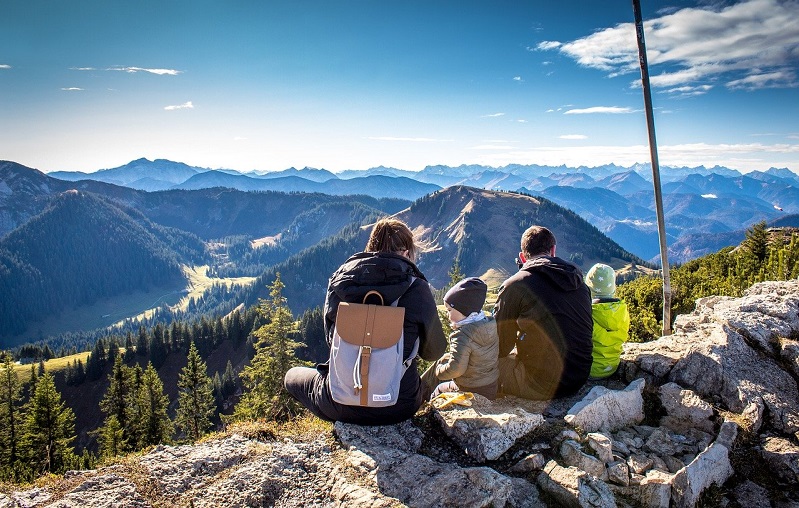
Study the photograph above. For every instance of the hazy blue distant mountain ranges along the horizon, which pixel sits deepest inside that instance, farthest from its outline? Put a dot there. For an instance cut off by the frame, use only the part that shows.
(617, 200)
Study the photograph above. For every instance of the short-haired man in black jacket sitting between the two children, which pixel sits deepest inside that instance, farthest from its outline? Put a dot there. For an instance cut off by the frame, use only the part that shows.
(544, 310)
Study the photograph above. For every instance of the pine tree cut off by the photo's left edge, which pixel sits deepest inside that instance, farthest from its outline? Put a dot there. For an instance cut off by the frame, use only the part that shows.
(10, 417)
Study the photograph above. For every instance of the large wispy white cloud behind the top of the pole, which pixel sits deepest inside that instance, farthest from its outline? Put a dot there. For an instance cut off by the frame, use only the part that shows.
(747, 45)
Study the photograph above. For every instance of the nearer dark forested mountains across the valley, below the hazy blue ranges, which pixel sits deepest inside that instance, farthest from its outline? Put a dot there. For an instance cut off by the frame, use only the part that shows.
(303, 236)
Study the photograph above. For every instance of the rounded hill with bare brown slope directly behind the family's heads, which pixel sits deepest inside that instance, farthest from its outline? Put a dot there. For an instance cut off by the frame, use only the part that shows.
(480, 229)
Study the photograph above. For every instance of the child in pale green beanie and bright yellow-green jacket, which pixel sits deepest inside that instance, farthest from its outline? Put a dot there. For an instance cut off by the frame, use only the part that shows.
(611, 320)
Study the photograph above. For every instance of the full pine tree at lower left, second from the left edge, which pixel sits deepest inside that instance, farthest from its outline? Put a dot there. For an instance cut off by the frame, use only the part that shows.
(49, 428)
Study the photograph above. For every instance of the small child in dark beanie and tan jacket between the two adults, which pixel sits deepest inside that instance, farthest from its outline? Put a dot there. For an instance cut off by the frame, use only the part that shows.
(471, 365)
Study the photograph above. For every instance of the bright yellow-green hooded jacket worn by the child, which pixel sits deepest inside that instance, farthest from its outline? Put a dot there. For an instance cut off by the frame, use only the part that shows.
(611, 330)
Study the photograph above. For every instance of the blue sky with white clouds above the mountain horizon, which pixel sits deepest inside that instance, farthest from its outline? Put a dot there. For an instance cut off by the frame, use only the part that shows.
(266, 85)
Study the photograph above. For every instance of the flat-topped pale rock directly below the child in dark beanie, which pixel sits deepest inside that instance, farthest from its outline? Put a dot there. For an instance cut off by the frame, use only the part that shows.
(487, 429)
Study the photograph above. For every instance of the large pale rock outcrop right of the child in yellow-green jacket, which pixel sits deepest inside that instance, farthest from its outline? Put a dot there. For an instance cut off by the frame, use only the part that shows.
(725, 351)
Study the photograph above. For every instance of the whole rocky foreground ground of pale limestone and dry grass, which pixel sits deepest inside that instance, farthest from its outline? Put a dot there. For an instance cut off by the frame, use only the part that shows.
(708, 416)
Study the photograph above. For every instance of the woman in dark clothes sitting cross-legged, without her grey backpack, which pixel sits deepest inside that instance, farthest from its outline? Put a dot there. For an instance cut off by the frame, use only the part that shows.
(387, 266)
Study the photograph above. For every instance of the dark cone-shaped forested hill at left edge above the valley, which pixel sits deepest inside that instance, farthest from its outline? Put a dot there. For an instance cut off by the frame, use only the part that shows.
(83, 248)
